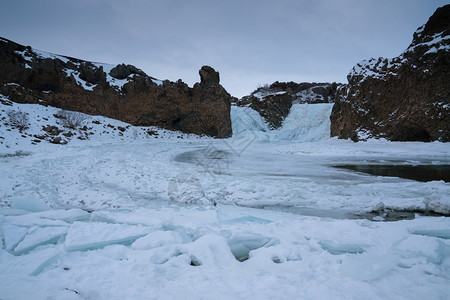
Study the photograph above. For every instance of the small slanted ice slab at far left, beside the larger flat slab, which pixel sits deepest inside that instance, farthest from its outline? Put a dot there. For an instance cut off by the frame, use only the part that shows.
(40, 236)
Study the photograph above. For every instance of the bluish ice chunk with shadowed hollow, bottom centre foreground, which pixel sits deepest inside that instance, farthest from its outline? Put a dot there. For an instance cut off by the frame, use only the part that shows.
(242, 244)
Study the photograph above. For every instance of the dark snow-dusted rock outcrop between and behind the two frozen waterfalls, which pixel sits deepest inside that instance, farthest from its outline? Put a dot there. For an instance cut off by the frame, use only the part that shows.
(274, 102)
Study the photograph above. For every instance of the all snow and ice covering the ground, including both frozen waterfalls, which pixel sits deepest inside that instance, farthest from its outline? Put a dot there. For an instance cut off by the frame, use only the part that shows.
(128, 214)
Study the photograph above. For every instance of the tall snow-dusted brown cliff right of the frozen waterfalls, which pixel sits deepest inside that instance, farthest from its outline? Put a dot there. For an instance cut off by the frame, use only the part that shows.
(406, 98)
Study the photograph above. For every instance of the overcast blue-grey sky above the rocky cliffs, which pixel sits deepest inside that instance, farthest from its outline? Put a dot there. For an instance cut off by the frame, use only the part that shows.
(249, 42)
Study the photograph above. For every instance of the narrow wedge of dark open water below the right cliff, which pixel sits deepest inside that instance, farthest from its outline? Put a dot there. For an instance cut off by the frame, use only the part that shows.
(422, 173)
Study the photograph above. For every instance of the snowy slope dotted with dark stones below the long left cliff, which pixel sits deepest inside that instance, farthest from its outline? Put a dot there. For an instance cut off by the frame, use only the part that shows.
(92, 130)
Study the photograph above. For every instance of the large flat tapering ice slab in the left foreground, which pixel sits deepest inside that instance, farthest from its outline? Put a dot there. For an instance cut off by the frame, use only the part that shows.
(86, 236)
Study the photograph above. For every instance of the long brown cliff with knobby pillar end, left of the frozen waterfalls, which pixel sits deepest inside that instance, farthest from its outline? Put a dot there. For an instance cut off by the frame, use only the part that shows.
(122, 92)
